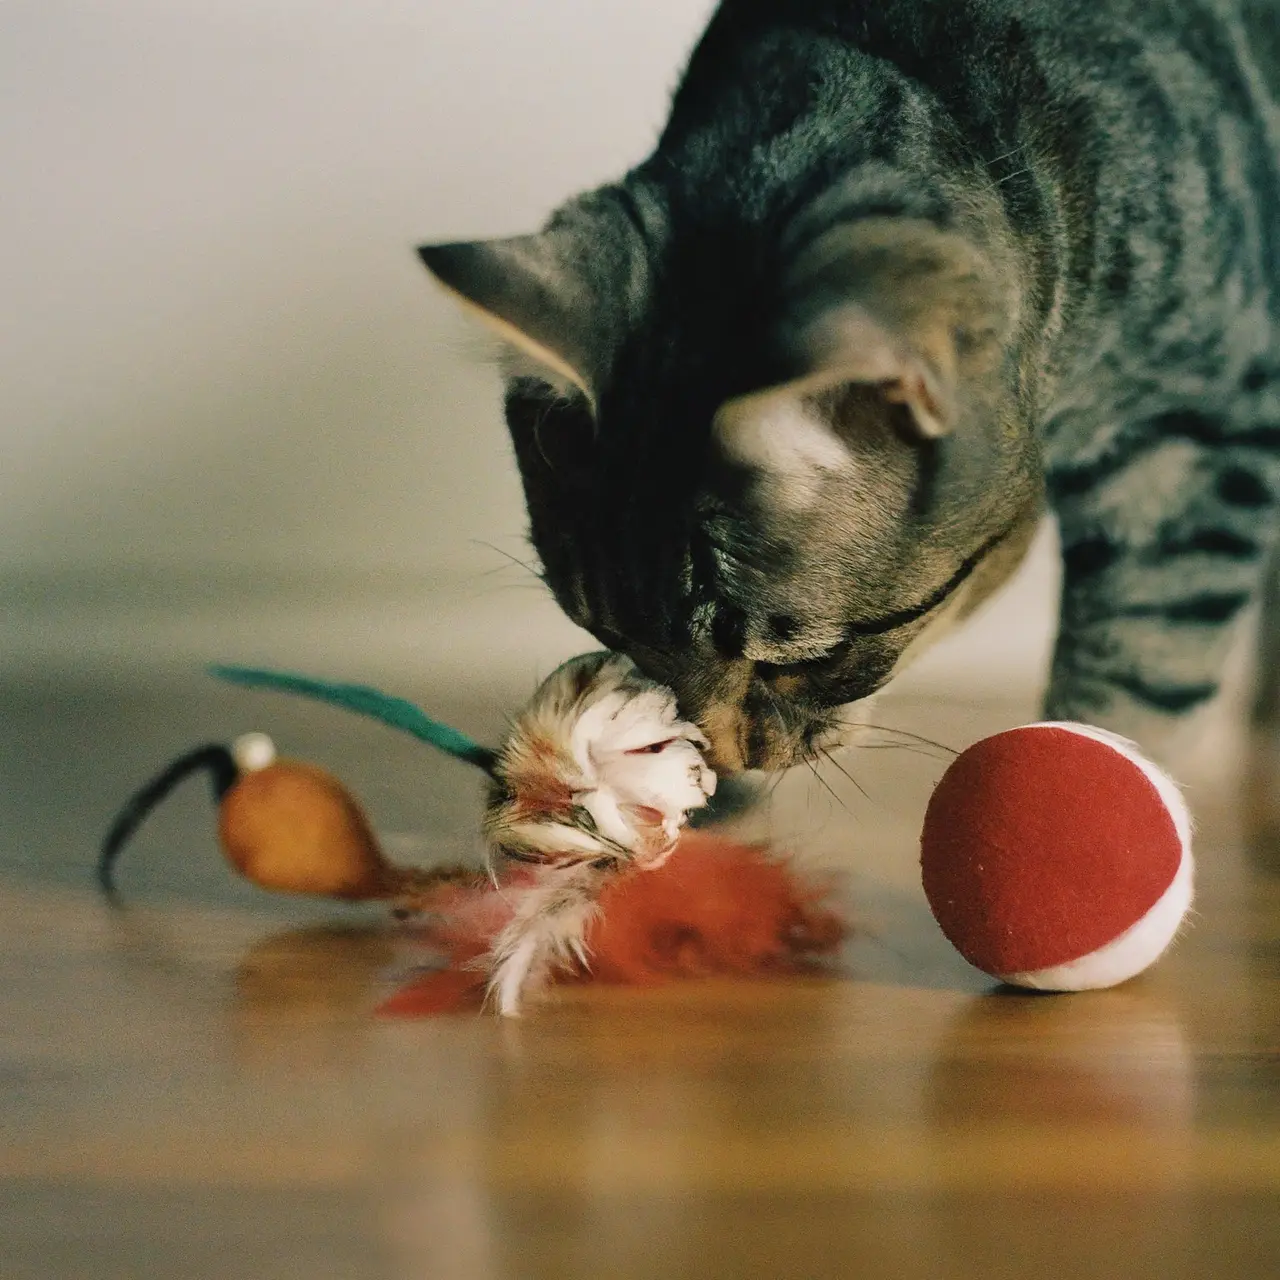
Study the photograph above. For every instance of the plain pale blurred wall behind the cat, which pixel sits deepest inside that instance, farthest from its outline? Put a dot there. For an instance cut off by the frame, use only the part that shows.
(239, 422)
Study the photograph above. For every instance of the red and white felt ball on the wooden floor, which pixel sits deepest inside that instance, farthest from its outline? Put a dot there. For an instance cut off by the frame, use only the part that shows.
(1055, 857)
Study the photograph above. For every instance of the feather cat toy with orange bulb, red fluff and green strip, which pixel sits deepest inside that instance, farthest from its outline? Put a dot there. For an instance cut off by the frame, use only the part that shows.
(591, 871)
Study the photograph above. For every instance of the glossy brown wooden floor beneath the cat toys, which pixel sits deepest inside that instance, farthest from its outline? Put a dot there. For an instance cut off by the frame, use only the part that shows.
(195, 1087)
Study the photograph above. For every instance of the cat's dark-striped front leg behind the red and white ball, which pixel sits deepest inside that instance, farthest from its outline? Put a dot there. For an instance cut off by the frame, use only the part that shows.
(1164, 546)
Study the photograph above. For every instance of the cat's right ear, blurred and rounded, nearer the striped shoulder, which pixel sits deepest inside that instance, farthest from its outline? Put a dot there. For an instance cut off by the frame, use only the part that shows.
(895, 304)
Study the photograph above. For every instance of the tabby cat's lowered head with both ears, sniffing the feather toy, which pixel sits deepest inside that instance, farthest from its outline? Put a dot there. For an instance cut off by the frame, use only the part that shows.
(770, 463)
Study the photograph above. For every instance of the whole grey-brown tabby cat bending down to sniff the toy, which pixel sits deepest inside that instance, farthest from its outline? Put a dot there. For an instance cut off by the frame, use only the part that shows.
(797, 388)
